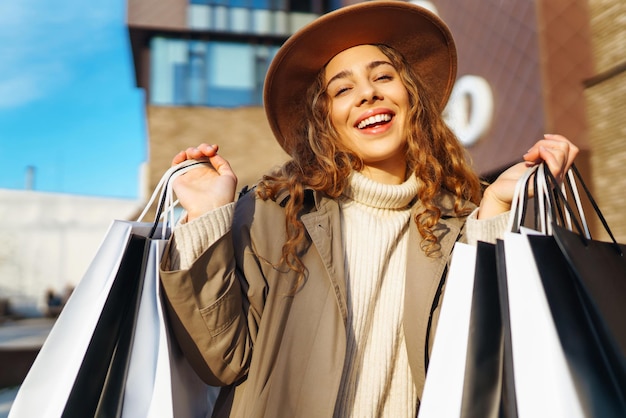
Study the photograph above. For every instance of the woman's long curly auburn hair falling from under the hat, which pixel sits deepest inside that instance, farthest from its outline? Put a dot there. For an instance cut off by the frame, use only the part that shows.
(321, 162)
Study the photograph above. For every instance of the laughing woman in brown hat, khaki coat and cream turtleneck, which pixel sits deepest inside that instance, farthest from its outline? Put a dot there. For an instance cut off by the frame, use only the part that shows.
(317, 294)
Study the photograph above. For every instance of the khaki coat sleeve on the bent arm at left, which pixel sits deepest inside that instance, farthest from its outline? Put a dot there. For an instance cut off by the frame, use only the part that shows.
(214, 308)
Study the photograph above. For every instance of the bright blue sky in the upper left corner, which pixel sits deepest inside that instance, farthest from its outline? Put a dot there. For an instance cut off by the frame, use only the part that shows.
(68, 103)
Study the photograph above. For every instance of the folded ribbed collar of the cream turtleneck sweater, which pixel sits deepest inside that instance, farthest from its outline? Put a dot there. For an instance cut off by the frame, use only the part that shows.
(368, 192)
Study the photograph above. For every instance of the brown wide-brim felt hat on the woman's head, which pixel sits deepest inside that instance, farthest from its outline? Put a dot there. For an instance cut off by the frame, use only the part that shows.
(419, 35)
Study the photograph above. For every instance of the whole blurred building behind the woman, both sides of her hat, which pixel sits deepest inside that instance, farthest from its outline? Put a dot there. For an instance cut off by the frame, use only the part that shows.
(525, 68)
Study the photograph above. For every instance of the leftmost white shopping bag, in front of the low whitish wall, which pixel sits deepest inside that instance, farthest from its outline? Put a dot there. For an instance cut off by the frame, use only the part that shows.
(48, 384)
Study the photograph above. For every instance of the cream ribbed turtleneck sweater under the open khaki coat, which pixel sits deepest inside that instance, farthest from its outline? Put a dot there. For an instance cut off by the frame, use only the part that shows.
(375, 219)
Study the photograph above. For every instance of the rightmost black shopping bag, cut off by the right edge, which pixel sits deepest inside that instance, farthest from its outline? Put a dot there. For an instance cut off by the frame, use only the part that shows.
(597, 272)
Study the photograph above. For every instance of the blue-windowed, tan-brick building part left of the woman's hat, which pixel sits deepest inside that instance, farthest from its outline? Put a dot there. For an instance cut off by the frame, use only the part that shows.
(202, 64)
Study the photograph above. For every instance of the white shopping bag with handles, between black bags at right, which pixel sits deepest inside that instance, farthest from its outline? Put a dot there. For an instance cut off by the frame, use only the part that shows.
(541, 378)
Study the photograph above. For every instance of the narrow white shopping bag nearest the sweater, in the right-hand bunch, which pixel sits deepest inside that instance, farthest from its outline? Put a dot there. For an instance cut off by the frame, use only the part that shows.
(443, 388)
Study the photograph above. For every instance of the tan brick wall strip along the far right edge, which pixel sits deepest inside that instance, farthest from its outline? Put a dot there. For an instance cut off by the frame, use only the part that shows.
(606, 111)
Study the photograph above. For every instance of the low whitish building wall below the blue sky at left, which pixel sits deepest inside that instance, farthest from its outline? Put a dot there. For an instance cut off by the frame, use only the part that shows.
(47, 242)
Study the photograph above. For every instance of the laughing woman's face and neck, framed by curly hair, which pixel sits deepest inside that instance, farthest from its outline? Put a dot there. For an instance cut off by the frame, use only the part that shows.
(368, 108)
